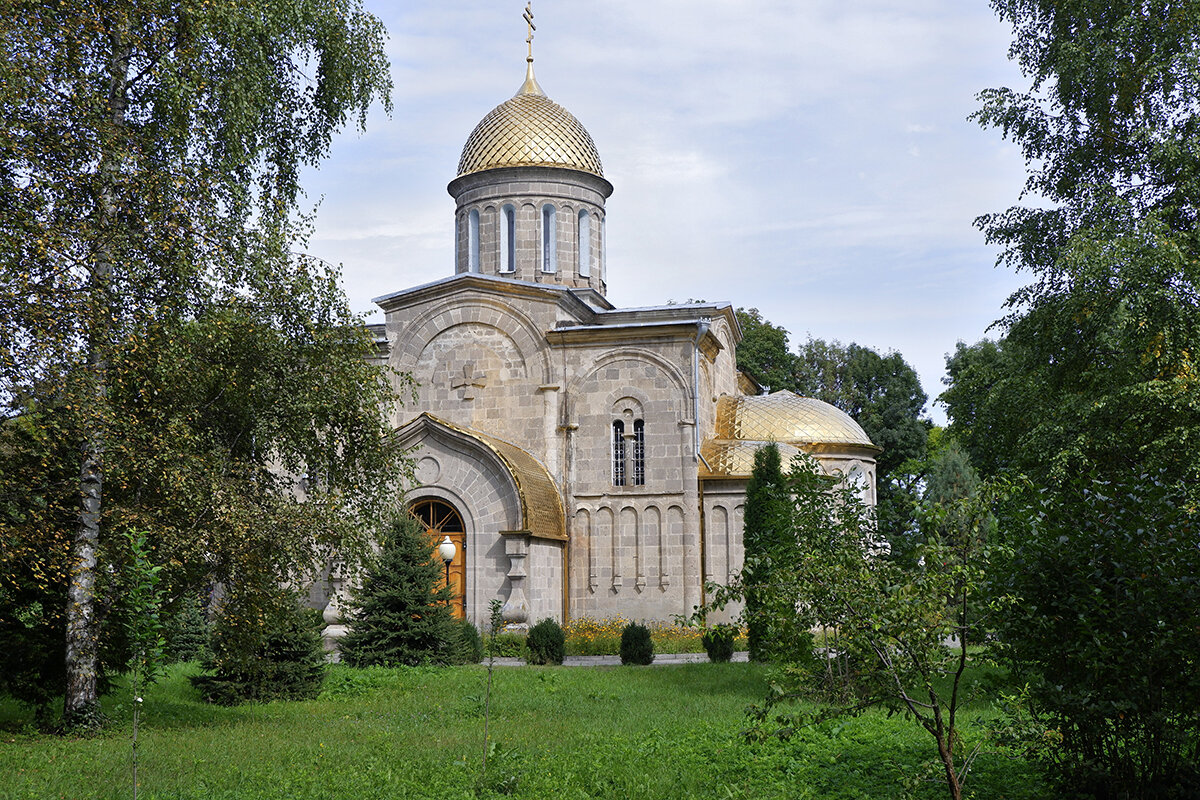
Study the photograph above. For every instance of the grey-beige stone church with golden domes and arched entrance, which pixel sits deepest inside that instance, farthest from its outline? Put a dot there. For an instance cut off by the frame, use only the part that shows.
(587, 461)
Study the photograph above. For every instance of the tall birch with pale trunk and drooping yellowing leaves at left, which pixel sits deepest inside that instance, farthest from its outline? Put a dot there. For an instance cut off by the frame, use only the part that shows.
(164, 348)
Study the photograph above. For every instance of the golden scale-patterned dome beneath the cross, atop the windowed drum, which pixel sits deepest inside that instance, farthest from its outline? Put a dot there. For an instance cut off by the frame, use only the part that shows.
(530, 130)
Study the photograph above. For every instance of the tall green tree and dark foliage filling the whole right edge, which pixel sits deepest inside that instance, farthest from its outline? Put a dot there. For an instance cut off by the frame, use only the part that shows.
(1097, 377)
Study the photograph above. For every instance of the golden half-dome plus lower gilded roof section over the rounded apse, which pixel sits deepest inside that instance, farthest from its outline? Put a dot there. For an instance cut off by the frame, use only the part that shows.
(795, 424)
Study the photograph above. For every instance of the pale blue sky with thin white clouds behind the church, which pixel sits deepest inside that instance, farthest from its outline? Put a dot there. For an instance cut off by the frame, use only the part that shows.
(811, 159)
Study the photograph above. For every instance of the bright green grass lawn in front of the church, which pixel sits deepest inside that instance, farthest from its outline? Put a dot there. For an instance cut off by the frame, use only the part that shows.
(559, 732)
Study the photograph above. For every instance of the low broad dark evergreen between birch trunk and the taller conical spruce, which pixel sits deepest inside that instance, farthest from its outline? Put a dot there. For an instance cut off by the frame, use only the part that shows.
(266, 647)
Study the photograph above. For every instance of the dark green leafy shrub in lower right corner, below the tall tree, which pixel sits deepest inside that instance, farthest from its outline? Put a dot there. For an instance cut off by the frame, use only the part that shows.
(1105, 634)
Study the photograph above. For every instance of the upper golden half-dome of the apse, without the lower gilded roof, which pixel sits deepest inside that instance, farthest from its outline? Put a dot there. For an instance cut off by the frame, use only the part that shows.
(788, 418)
